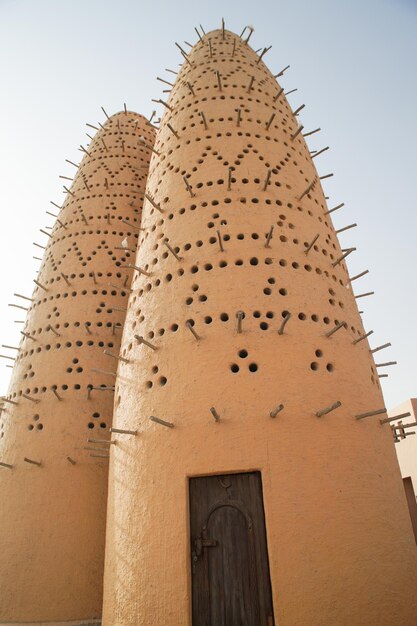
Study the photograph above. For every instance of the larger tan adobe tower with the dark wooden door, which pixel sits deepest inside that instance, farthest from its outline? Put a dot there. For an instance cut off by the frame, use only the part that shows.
(246, 375)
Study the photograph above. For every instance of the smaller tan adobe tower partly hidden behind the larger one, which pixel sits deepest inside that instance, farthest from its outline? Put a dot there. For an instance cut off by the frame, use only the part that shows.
(60, 401)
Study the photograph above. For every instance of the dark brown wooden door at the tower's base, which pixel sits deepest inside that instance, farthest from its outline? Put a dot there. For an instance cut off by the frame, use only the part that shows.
(230, 569)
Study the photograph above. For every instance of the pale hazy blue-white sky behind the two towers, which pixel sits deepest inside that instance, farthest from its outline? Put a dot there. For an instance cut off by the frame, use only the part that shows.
(353, 62)
